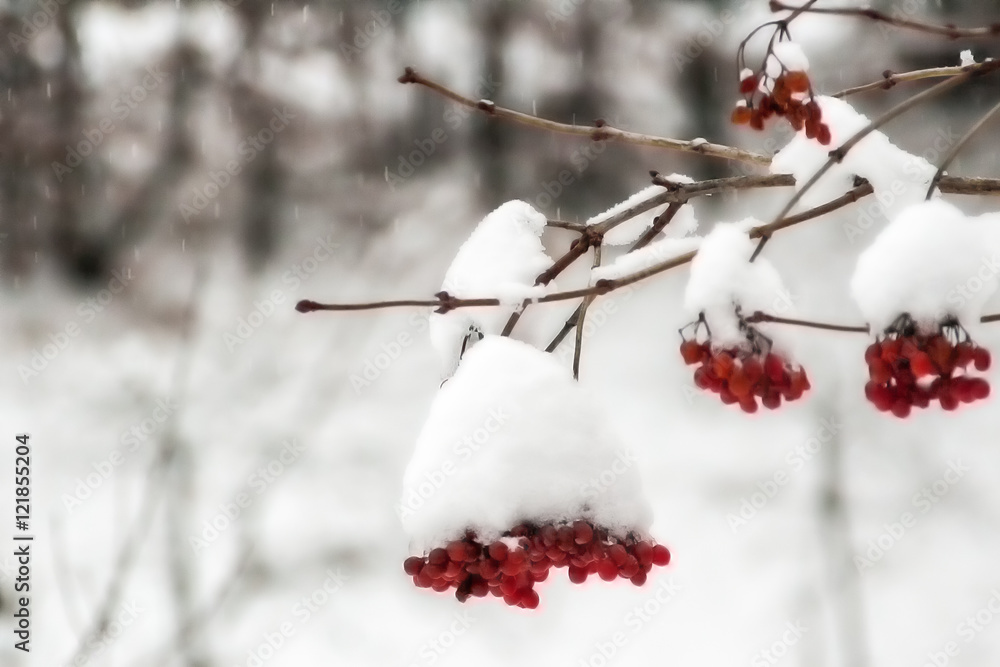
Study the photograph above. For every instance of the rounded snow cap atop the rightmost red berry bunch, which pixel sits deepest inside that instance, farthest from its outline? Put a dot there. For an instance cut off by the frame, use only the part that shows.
(931, 261)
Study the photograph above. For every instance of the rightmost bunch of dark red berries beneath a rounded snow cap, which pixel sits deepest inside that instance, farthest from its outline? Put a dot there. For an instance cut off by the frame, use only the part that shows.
(909, 369)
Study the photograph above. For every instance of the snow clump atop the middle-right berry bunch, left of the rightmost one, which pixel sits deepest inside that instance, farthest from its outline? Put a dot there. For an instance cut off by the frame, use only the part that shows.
(722, 278)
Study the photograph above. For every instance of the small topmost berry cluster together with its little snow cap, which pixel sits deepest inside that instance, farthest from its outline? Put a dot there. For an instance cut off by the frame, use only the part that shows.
(782, 89)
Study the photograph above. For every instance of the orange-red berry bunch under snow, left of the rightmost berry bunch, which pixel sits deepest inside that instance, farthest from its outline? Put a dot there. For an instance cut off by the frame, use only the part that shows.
(742, 376)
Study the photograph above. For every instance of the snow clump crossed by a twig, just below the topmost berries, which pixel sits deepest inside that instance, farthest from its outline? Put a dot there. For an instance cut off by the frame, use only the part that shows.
(900, 179)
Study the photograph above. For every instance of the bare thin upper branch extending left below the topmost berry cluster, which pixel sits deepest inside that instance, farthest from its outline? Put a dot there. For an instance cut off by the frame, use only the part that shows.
(601, 131)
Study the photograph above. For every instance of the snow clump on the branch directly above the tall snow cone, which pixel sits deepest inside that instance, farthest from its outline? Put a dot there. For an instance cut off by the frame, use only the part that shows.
(501, 259)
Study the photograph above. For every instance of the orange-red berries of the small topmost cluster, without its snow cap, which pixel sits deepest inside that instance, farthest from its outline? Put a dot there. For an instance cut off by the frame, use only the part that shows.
(790, 98)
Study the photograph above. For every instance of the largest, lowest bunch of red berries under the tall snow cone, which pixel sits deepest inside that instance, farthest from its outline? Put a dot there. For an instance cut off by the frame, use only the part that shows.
(509, 568)
